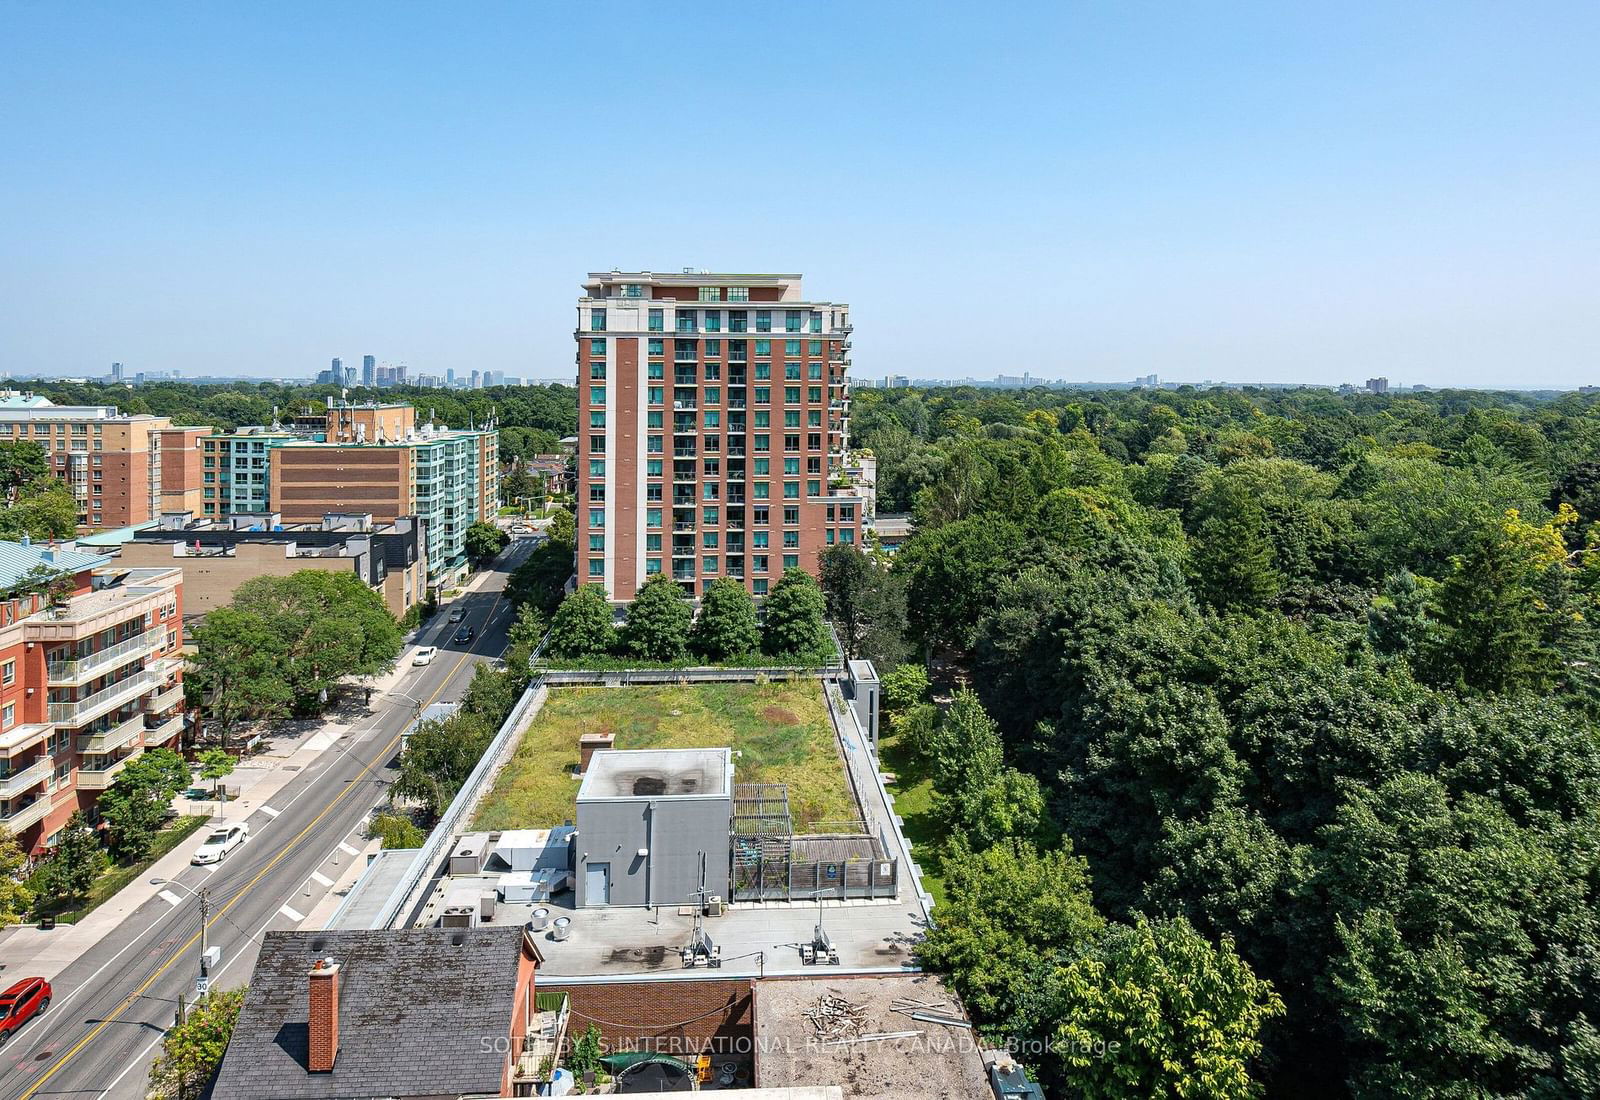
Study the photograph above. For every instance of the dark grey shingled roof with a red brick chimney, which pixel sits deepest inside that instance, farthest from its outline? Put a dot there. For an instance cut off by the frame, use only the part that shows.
(422, 1013)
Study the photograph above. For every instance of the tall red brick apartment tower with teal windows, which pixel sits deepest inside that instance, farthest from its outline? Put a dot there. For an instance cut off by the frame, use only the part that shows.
(713, 423)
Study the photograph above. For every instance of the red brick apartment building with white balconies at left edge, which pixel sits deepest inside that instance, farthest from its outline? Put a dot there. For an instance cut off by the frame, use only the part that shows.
(89, 682)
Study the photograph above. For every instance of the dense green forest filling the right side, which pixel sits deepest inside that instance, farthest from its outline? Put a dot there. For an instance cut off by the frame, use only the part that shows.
(1281, 763)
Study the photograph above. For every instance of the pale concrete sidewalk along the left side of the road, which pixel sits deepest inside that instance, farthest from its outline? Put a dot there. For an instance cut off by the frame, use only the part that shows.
(294, 746)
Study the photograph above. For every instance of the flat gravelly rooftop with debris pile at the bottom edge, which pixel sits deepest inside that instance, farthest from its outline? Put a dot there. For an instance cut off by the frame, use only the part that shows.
(940, 1061)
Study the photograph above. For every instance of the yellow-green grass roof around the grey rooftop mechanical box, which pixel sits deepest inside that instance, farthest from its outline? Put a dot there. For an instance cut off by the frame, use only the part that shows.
(782, 730)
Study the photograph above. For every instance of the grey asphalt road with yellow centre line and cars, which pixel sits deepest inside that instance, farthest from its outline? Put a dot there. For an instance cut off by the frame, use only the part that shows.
(113, 1006)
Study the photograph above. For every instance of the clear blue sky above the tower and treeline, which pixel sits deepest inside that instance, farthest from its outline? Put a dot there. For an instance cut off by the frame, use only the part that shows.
(1086, 191)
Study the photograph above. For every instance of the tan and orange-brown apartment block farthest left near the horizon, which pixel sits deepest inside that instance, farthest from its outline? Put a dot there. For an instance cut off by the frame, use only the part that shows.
(122, 469)
